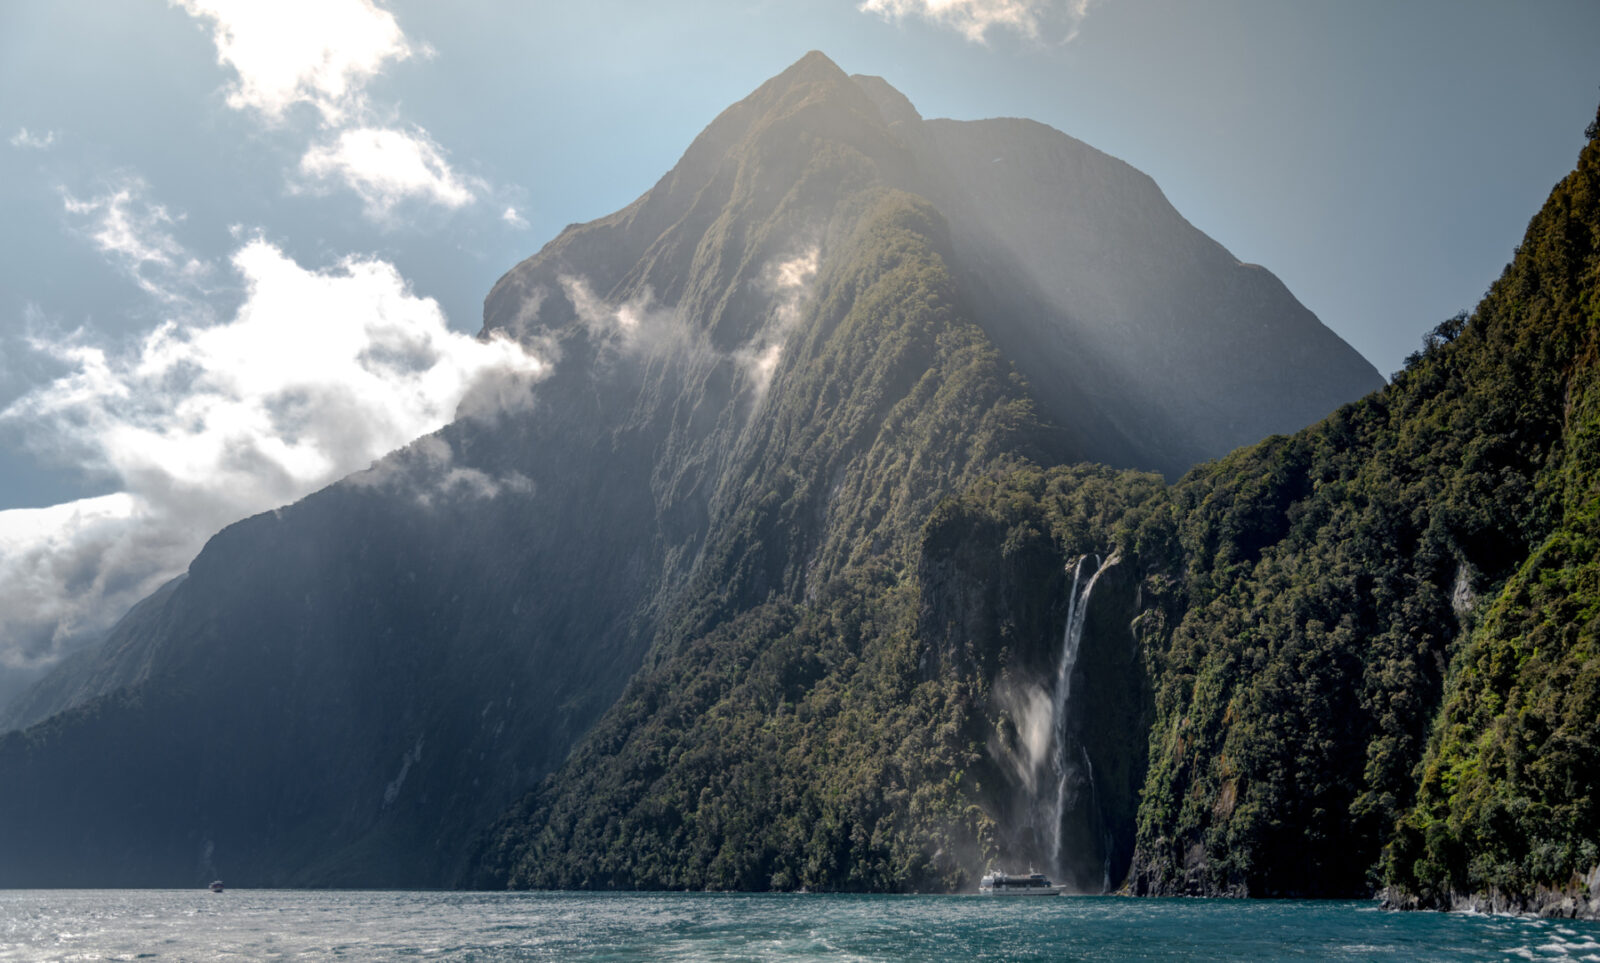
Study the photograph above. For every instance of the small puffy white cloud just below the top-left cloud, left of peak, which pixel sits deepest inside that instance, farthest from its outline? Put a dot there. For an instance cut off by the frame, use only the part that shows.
(386, 167)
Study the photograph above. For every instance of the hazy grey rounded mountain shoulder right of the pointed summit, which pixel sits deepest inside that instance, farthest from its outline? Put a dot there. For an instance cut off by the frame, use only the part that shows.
(1158, 321)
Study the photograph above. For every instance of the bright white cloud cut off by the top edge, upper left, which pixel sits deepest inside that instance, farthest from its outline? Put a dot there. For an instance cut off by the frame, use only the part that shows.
(302, 52)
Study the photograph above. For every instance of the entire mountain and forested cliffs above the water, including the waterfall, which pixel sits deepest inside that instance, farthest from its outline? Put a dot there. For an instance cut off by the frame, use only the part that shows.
(857, 541)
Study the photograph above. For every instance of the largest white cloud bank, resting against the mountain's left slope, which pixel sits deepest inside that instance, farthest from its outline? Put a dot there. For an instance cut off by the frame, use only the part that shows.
(314, 377)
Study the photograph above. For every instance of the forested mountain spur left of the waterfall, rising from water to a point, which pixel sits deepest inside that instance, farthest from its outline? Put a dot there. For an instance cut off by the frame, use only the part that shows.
(798, 735)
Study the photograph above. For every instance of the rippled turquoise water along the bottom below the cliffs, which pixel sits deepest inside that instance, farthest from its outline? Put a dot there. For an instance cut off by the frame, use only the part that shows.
(321, 925)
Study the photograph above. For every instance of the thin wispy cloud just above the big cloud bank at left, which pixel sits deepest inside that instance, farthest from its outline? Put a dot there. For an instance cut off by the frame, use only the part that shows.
(137, 236)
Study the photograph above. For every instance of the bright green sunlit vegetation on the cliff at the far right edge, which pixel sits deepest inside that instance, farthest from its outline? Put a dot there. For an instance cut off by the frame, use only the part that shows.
(1510, 797)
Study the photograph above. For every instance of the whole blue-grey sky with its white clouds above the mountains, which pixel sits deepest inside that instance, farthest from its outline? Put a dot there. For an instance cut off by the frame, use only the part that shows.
(247, 246)
